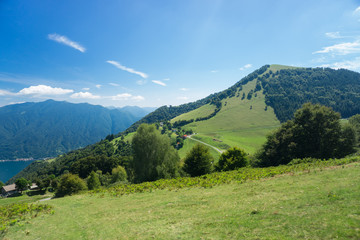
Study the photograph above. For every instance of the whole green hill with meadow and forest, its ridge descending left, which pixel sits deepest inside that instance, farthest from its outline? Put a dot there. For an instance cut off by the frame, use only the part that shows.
(241, 115)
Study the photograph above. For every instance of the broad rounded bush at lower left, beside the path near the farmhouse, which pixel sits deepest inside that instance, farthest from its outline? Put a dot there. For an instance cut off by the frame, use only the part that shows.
(70, 184)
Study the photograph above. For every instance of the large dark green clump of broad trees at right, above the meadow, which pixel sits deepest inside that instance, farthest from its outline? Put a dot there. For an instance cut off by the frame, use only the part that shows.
(314, 132)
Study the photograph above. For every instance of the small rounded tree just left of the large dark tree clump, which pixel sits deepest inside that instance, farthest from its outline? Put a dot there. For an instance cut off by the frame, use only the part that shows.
(232, 159)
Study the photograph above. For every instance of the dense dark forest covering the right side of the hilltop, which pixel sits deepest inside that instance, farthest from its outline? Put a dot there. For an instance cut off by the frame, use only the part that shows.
(288, 89)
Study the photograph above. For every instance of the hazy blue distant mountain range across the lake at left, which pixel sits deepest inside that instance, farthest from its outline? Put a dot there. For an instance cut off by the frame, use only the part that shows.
(50, 128)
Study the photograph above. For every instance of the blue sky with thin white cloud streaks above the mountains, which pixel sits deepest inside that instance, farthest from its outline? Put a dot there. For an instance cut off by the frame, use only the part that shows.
(156, 52)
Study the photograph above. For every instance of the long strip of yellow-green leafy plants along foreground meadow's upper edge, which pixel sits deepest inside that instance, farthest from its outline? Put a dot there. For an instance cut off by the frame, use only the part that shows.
(219, 178)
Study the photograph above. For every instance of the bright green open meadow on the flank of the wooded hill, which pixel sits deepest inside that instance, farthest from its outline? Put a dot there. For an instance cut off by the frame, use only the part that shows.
(236, 124)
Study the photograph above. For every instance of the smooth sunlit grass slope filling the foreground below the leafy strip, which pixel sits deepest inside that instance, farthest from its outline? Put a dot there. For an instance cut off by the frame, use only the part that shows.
(315, 205)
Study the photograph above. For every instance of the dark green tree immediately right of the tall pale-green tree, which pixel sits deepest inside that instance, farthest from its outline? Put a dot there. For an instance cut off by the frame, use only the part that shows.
(198, 161)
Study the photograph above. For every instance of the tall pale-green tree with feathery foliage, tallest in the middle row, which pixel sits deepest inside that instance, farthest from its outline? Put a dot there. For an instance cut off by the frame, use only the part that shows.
(154, 157)
